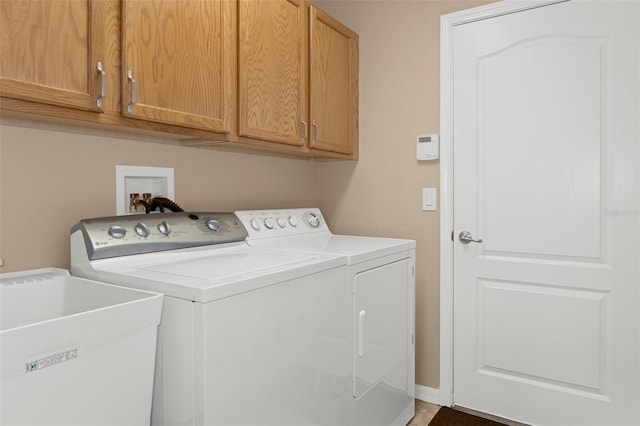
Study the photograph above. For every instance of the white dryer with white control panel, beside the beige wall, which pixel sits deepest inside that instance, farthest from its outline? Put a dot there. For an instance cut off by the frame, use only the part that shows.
(381, 281)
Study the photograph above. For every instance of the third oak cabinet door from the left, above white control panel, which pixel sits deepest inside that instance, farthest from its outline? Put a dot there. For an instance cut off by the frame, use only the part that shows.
(272, 70)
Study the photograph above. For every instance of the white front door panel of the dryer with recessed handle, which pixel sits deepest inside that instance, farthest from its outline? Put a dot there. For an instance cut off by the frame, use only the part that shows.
(381, 326)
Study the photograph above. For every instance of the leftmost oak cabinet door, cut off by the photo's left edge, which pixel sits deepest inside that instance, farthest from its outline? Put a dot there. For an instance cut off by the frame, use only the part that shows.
(46, 52)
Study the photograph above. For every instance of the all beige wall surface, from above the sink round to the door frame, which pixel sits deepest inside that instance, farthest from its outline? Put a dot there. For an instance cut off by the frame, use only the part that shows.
(55, 173)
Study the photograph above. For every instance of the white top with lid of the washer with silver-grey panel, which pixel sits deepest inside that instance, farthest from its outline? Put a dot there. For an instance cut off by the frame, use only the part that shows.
(209, 273)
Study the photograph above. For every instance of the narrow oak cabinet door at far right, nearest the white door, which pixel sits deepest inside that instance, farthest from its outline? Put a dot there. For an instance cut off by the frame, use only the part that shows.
(333, 85)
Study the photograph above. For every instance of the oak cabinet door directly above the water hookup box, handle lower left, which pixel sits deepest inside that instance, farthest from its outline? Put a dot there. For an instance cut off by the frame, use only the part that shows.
(178, 63)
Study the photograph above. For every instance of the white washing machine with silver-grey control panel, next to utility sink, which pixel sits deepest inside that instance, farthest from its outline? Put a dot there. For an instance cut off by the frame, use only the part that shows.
(248, 336)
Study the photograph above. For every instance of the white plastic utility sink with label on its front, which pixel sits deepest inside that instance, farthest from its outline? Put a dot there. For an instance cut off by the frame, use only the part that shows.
(75, 351)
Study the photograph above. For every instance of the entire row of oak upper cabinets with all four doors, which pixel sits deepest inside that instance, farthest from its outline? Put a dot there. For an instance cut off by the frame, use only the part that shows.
(277, 75)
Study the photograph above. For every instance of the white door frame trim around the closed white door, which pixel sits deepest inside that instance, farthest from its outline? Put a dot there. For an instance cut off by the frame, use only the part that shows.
(447, 25)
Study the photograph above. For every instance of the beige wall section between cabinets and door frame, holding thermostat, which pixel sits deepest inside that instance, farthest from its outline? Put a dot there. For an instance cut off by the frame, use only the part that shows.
(399, 99)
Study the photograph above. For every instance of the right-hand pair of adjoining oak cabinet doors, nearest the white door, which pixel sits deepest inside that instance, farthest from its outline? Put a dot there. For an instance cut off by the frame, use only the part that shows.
(298, 77)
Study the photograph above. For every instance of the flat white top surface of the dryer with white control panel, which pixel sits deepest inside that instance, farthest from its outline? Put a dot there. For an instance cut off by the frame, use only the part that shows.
(357, 249)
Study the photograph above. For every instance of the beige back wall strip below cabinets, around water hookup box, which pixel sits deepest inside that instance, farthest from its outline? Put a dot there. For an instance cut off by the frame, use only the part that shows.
(50, 178)
